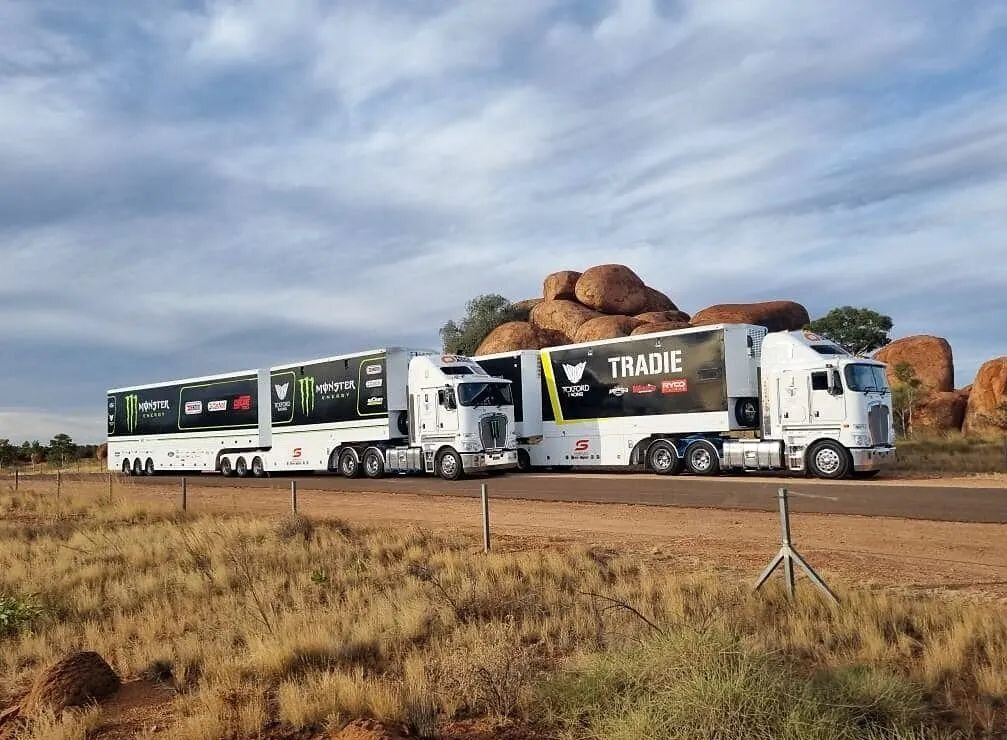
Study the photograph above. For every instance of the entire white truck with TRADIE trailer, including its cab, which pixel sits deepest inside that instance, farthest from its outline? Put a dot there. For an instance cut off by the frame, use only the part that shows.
(727, 397)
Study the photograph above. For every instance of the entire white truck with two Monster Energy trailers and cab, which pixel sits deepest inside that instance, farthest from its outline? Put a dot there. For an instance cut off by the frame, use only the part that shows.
(369, 413)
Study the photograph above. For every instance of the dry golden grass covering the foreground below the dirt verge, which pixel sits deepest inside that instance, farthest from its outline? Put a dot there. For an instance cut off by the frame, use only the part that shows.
(314, 624)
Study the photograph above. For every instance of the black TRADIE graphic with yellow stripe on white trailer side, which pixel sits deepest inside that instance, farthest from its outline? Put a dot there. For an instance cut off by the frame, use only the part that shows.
(679, 374)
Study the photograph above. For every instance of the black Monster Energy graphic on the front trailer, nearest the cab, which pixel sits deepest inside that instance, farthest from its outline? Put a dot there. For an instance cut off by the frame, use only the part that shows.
(329, 392)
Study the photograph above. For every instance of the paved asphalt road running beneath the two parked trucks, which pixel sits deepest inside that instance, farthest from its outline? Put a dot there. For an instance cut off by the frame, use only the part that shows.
(910, 501)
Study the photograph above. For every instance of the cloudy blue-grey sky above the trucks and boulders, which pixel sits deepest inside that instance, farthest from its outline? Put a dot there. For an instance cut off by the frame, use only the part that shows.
(197, 188)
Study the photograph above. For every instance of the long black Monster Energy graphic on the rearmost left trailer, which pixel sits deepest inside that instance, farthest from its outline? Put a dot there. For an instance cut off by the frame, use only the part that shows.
(186, 407)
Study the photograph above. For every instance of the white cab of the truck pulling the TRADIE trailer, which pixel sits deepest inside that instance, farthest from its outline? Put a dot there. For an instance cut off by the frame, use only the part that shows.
(831, 410)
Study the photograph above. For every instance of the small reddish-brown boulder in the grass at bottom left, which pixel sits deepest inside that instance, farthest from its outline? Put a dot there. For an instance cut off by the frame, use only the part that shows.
(76, 681)
